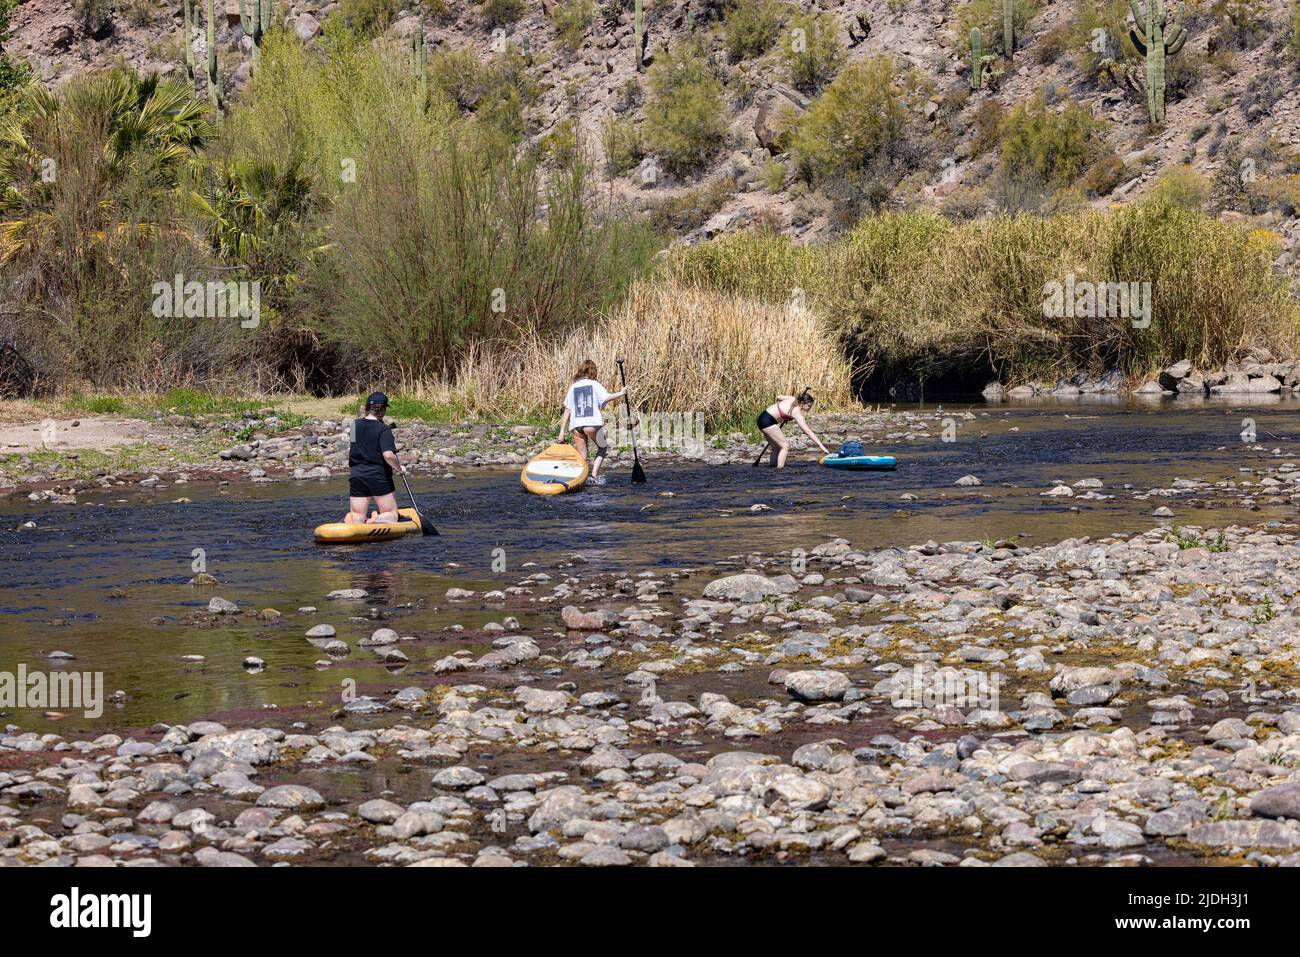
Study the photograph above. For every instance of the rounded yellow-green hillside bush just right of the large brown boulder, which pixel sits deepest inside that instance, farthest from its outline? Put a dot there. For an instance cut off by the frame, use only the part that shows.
(863, 120)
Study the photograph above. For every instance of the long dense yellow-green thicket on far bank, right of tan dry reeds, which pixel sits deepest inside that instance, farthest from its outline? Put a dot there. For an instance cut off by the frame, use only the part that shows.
(916, 292)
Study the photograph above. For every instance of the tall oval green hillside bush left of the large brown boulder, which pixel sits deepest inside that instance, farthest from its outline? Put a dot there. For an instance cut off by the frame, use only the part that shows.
(686, 115)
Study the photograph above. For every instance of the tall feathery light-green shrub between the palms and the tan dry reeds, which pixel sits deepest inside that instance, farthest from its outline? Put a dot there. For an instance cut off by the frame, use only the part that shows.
(444, 211)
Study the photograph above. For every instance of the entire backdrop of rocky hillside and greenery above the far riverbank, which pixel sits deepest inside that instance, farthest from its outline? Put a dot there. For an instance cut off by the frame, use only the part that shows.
(474, 185)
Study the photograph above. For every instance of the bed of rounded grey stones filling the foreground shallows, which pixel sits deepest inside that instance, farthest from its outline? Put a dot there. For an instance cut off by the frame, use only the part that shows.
(1116, 701)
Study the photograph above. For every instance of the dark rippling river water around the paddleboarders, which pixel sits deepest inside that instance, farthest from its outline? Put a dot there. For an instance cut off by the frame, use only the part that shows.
(107, 581)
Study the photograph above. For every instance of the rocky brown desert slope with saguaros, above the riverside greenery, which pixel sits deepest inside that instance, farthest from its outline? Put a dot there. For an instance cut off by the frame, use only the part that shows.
(1232, 93)
